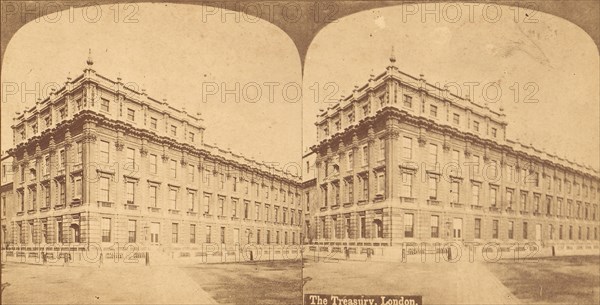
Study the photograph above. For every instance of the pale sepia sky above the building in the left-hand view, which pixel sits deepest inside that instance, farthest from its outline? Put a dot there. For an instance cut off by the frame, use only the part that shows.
(175, 53)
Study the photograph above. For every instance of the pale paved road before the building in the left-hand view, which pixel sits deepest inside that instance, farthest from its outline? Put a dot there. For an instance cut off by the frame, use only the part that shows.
(121, 284)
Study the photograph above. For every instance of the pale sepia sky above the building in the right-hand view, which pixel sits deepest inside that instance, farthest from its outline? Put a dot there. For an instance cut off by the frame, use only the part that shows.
(552, 60)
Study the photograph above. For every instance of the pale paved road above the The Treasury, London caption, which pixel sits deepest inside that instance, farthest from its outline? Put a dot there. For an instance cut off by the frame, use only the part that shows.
(438, 283)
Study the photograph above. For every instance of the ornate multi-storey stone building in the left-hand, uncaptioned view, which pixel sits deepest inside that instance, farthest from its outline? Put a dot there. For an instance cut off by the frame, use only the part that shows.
(100, 162)
